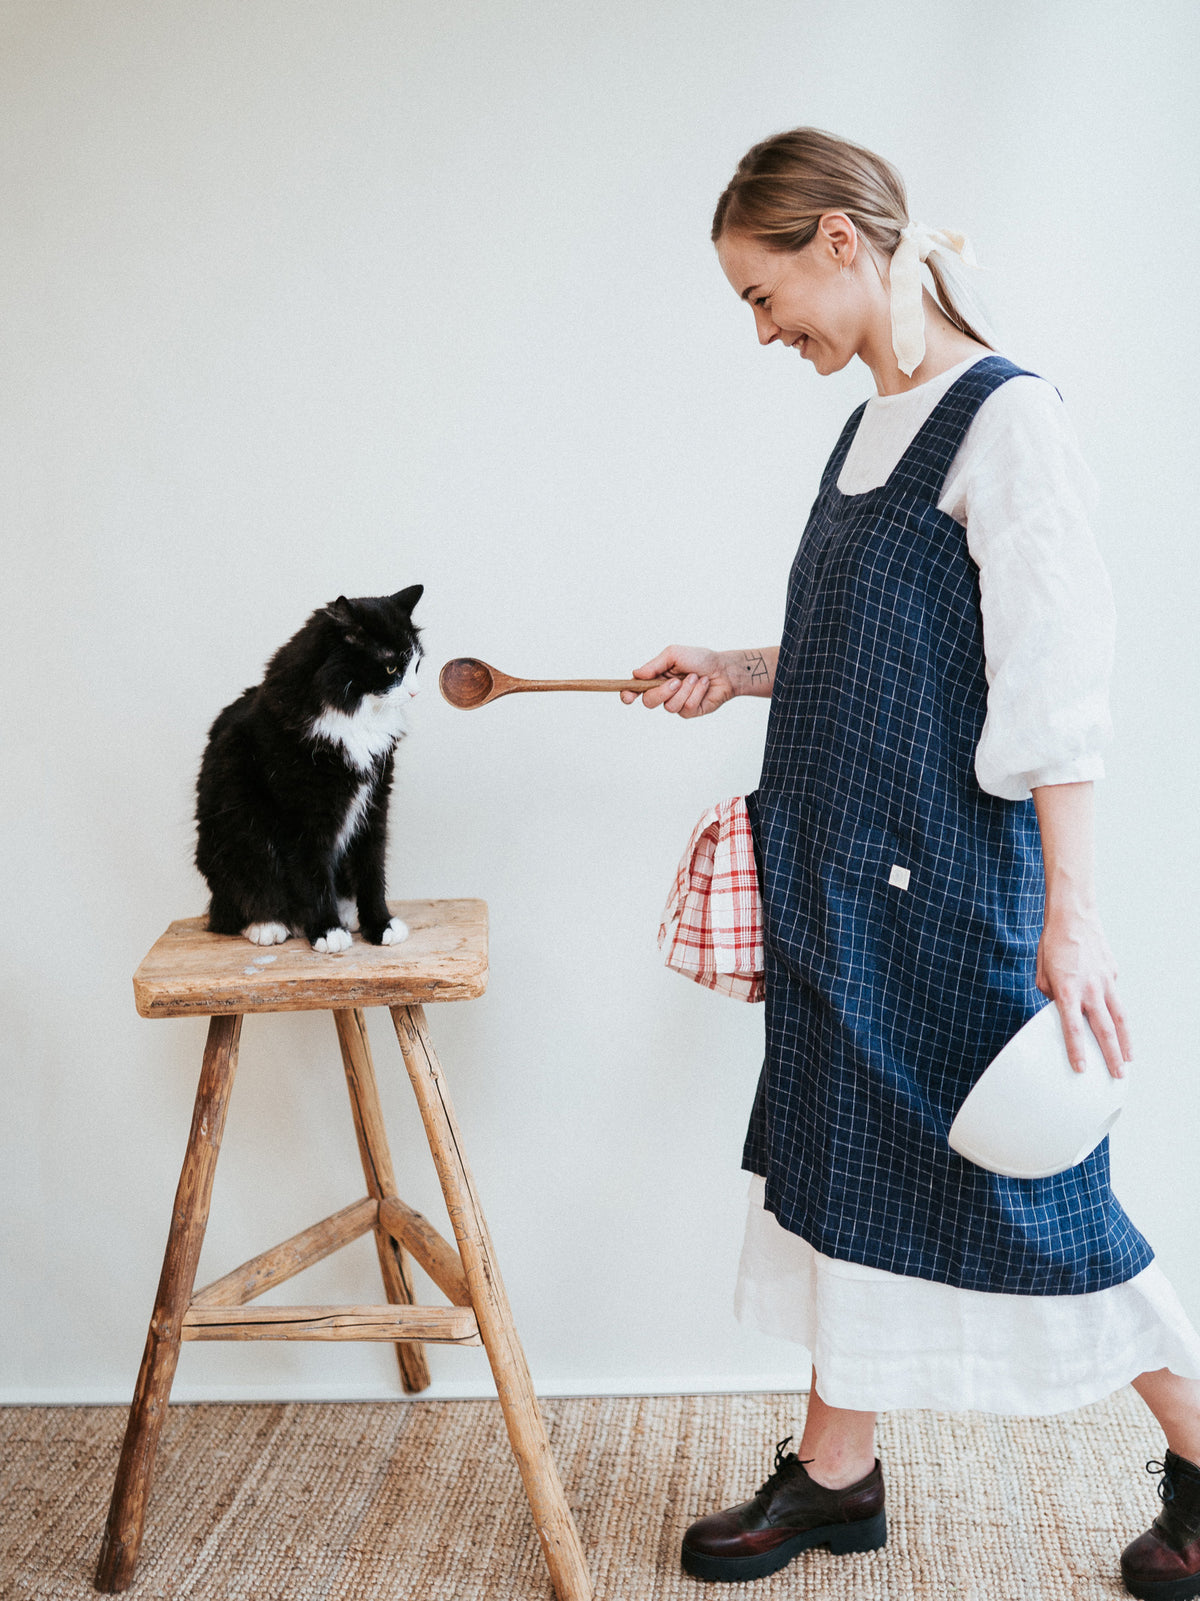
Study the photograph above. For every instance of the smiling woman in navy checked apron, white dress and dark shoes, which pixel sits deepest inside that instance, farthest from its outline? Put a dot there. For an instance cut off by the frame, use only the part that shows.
(924, 838)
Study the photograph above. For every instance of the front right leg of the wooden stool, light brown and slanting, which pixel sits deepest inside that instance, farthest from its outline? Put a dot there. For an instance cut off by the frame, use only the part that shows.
(524, 1419)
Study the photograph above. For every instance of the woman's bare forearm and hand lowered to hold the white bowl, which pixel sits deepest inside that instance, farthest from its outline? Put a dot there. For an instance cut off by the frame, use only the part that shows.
(1074, 963)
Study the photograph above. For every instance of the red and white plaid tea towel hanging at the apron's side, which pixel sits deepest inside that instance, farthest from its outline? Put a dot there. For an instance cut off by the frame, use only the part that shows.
(713, 928)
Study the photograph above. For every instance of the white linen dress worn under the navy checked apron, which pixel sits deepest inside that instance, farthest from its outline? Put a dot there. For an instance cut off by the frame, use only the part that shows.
(1025, 496)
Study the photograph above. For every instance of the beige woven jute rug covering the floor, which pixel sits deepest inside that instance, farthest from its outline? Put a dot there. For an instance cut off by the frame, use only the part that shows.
(420, 1501)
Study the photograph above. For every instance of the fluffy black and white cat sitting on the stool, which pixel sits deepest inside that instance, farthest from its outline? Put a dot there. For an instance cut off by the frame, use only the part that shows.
(292, 800)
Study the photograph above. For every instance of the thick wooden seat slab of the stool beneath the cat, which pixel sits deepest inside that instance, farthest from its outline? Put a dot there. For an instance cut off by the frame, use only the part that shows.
(191, 973)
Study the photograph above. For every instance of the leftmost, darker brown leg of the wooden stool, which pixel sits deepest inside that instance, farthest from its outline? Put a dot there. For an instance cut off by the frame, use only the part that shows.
(190, 1219)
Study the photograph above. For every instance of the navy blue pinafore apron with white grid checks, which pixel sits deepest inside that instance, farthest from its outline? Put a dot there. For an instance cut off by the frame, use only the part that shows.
(903, 905)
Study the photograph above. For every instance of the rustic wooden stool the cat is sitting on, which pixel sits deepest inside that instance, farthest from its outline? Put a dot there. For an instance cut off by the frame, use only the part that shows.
(191, 973)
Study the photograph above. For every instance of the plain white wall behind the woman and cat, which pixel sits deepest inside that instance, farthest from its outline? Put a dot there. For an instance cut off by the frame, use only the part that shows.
(316, 299)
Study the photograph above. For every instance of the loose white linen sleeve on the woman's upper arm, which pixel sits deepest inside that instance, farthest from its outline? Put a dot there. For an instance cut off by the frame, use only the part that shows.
(1026, 496)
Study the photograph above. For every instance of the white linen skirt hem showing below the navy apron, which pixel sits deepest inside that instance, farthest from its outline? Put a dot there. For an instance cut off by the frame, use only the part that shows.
(886, 1341)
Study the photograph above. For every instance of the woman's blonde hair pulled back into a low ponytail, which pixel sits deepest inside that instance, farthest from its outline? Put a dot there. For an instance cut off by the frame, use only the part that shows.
(785, 185)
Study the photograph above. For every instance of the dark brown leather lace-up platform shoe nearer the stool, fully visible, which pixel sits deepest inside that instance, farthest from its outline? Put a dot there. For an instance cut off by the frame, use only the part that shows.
(788, 1515)
